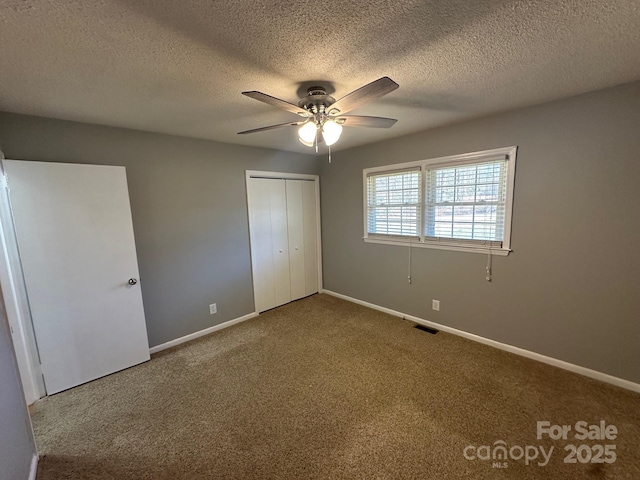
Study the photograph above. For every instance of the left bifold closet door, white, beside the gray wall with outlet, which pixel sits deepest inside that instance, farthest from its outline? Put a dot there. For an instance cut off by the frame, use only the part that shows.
(269, 242)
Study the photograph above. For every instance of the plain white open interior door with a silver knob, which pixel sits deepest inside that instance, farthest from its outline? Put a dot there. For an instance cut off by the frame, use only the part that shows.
(75, 235)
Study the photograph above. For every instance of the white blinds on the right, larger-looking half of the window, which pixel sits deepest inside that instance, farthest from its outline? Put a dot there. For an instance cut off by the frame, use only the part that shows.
(466, 203)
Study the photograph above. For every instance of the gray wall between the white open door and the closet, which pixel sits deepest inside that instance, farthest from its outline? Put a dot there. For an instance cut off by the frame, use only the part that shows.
(188, 201)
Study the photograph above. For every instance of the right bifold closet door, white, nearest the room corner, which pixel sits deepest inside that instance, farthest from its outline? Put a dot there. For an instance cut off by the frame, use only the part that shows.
(302, 232)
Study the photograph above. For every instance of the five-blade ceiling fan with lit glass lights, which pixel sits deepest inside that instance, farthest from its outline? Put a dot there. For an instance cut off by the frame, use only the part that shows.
(323, 116)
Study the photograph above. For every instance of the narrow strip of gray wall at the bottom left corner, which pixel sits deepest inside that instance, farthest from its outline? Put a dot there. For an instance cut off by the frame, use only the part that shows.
(17, 447)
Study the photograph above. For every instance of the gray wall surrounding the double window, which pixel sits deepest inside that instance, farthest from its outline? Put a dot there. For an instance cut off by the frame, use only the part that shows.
(571, 287)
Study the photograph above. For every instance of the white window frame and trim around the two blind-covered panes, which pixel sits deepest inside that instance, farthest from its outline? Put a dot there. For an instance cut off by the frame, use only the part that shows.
(473, 246)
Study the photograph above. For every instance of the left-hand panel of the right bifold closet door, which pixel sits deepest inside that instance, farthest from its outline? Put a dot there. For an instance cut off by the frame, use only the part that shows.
(296, 238)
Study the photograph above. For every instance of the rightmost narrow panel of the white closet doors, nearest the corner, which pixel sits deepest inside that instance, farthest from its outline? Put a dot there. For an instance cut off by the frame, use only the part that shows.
(310, 233)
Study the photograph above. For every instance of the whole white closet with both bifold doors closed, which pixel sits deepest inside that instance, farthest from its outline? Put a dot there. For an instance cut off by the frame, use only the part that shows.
(283, 228)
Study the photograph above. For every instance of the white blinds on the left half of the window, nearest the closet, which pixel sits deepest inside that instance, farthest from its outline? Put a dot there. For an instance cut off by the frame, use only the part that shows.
(394, 204)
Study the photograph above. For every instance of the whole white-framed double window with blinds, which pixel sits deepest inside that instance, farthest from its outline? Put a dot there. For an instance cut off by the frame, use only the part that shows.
(462, 202)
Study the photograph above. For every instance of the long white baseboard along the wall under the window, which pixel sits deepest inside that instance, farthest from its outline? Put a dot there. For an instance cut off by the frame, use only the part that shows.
(587, 372)
